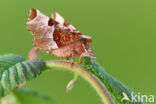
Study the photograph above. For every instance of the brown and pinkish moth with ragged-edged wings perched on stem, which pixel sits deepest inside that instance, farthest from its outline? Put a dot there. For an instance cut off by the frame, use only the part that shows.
(55, 35)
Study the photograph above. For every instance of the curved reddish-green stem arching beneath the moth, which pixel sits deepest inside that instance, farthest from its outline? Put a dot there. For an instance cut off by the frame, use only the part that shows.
(97, 85)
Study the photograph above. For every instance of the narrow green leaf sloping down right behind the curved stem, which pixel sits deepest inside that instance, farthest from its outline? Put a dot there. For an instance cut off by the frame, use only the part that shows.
(115, 87)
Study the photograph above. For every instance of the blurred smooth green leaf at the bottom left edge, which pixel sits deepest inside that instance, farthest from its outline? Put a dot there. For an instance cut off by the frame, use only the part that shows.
(25, 96)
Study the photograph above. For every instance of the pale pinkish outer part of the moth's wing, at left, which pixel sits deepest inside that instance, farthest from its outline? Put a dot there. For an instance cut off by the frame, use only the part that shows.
(38, 25)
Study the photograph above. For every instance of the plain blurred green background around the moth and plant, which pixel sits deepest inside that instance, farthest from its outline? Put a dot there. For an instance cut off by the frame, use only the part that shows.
(124, 42)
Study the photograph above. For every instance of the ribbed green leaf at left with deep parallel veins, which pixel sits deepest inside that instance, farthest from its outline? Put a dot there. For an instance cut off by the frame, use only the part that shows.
(15, 71)
